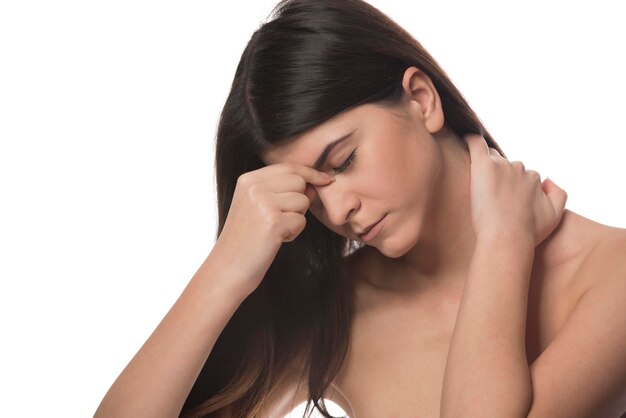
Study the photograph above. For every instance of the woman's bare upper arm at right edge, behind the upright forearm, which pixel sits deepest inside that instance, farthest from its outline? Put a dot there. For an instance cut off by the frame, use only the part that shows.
(593, 338)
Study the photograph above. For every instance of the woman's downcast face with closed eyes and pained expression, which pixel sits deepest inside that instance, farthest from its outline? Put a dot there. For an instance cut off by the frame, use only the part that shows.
(387, 167)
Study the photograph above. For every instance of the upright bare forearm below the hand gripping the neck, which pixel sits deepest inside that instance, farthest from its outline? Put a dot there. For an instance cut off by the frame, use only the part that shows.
(487, 373)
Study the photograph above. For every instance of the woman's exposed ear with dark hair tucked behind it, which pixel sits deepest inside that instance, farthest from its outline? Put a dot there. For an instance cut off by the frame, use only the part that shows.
(423, 99)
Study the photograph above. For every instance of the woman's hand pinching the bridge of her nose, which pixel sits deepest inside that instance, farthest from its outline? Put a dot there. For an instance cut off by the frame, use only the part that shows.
(267, 209)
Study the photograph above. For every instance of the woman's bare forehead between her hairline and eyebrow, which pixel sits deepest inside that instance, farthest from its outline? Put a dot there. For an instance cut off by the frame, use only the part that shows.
(306, 147)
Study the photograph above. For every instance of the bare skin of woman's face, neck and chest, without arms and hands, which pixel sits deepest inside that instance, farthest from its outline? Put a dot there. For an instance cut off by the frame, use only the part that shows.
(409, 279)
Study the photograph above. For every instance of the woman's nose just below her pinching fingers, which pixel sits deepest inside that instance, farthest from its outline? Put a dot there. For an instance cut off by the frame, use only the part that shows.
(335, 202)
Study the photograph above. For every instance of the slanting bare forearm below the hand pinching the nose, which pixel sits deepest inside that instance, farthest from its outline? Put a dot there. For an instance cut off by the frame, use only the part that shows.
(158, 379)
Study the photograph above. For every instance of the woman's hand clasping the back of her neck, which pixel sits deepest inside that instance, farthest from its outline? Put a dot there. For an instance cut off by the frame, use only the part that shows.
(505, 196)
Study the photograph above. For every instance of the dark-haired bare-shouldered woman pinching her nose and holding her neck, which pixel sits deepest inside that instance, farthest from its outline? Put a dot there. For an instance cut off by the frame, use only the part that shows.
(408, 269)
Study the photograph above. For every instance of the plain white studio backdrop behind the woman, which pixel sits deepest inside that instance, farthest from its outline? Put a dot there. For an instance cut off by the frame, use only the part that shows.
(108, 112)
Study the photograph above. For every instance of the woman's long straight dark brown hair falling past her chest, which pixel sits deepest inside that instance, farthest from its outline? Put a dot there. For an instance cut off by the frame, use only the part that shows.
(312, 61)
